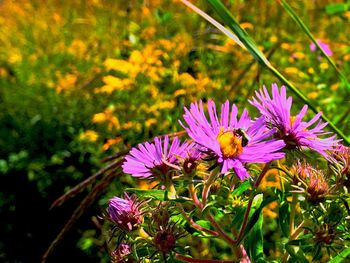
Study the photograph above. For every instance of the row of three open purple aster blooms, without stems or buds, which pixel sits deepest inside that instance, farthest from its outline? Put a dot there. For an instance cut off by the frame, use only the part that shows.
(232, 140)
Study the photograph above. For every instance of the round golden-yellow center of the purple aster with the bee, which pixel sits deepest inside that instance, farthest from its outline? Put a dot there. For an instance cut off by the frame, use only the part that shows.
(230, 144)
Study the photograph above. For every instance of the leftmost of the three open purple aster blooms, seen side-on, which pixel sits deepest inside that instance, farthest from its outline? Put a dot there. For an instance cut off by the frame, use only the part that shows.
(149, 160)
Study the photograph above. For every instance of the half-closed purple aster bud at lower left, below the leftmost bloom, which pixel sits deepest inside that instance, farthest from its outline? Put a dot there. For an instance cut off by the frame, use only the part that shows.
(125, 213)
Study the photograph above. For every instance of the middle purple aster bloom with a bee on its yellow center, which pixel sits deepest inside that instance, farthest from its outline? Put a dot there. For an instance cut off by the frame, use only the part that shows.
(231, 141)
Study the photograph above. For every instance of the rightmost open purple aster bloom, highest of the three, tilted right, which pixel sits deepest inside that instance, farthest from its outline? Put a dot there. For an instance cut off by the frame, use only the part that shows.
(295, 133)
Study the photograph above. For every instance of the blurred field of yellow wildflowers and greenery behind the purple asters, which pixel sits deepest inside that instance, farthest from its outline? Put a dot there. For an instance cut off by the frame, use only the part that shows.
(81, 80)
